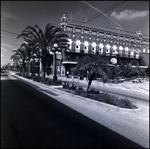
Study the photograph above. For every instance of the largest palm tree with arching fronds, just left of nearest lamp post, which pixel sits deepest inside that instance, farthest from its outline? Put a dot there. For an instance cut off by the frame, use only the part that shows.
(42, 41)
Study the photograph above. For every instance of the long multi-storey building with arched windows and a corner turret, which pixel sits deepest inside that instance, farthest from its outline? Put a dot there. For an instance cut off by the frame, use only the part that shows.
(84, 39)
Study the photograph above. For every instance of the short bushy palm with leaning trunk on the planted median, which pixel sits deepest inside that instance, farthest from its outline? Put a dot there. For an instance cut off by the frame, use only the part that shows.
(95, 64)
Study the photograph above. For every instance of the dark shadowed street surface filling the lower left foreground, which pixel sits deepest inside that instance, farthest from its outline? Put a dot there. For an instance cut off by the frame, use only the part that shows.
(39, 121)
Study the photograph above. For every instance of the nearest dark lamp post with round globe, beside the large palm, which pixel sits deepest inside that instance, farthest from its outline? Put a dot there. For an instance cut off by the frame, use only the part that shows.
(55, 66)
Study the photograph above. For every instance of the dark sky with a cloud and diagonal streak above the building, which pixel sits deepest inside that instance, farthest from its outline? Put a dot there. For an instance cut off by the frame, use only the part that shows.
(16, 15)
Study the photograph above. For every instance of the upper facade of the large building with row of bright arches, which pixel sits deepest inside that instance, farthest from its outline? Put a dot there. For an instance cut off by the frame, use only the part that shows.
(91, 40)
